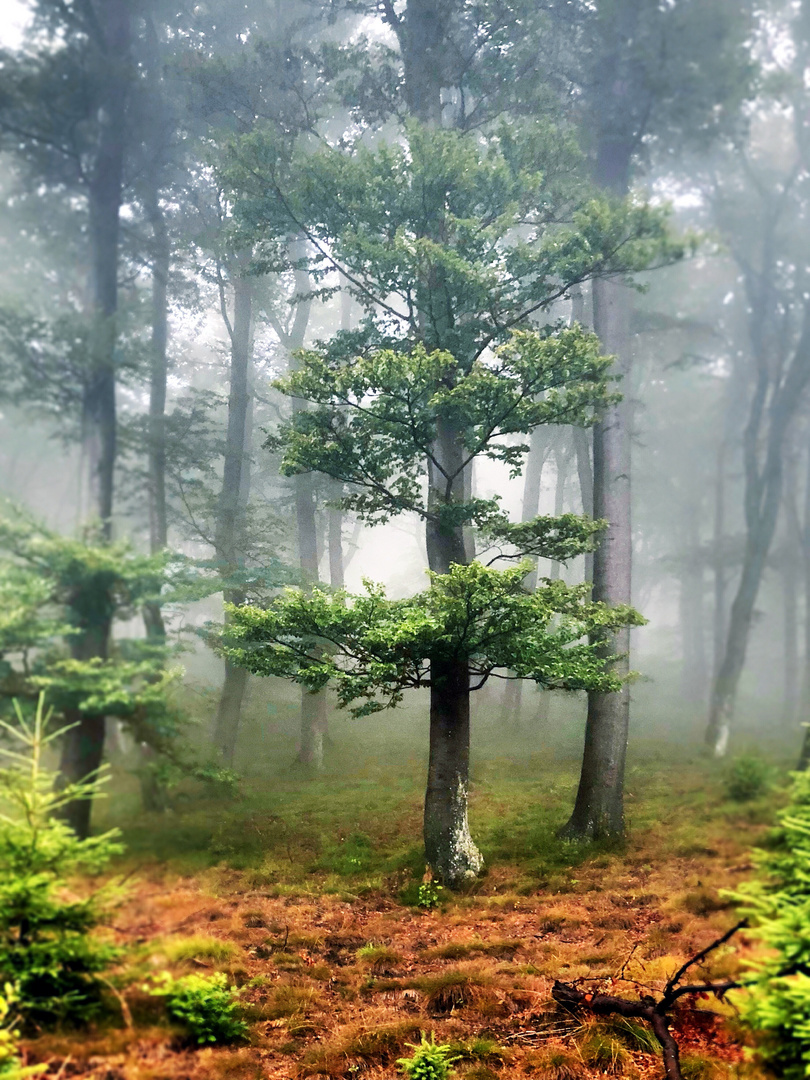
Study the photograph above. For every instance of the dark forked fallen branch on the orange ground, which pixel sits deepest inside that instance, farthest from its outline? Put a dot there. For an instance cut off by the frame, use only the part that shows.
(656, 1012)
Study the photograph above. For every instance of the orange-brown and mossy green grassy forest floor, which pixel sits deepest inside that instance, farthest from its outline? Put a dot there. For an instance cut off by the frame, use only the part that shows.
(306, 897)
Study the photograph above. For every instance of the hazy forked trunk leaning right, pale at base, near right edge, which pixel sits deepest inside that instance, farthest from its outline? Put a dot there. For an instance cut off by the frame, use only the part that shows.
(772, 411)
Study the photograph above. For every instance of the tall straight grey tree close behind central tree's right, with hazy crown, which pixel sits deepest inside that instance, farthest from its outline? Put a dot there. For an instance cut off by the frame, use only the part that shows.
(643, 85)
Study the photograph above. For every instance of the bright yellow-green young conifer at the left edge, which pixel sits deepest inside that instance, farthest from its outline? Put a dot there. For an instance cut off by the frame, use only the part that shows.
(46, 949)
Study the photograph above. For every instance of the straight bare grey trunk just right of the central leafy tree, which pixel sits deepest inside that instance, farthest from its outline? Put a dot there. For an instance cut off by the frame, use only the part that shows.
(600, 807)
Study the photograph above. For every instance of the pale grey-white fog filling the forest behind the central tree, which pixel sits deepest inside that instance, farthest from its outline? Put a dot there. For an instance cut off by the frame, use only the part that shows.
(152, 293)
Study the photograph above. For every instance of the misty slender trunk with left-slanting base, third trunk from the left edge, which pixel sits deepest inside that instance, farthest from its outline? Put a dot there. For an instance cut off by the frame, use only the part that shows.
(229, 538)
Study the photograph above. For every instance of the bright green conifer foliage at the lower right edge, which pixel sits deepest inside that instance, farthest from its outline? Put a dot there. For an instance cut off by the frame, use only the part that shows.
(778, 1006)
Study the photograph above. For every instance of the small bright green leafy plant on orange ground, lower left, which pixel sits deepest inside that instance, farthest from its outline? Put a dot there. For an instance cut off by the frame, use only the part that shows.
(205, 1005)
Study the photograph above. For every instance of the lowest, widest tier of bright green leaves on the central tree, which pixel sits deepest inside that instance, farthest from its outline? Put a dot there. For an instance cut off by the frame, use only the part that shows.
(384, 646)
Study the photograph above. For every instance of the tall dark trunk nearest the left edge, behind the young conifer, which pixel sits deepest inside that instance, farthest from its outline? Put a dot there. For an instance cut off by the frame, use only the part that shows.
(84, 747)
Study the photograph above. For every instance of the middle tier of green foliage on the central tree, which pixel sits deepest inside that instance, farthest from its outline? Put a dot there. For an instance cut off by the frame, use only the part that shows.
(375, 417)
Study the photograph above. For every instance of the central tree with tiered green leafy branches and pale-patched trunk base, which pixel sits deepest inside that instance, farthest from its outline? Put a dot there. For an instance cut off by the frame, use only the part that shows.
(425, 236)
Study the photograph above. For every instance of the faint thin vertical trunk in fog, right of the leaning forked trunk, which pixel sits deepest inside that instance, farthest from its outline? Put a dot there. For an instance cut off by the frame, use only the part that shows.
(792, 573)
